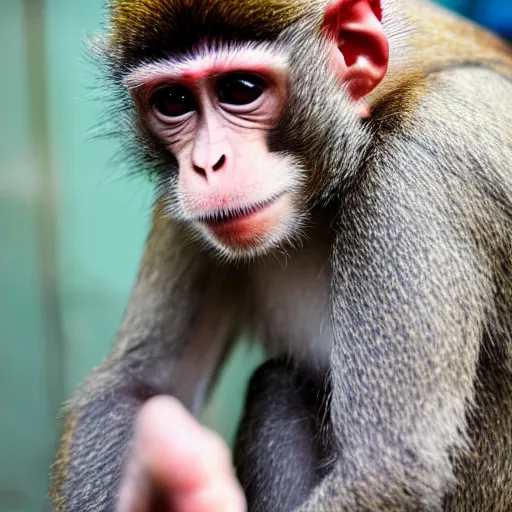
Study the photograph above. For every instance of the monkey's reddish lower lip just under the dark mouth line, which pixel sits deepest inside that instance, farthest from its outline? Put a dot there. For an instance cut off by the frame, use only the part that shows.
(247, 225)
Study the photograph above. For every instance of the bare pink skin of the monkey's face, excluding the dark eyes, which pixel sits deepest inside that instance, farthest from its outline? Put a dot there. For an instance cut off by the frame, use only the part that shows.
(228, 180)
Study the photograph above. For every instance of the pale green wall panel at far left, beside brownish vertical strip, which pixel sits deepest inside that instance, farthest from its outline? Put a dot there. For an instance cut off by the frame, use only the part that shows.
(26, 420)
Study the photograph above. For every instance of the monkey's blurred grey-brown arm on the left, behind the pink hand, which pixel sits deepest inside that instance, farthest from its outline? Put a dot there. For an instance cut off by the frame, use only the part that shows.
(171, 342)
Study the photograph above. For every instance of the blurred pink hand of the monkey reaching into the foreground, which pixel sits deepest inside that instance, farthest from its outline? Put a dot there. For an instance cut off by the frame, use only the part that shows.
(178, 465)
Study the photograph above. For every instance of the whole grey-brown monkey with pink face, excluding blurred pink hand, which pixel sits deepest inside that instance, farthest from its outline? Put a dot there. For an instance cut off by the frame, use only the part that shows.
(334, 180)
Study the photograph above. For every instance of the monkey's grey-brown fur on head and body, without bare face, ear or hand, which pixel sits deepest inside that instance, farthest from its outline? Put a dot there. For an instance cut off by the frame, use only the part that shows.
(407, 254)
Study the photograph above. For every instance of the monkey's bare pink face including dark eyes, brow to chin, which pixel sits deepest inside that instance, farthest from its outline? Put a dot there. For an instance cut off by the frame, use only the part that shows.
(213, 112)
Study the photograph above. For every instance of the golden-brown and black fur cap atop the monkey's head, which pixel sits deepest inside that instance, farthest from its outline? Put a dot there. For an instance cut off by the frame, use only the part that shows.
(145, 28)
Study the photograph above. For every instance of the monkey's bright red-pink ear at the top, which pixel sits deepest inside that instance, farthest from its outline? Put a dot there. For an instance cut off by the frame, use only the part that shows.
(363, 56)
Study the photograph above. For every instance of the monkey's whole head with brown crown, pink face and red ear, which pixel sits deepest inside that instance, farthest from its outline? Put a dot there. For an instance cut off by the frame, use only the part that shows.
(248, 111)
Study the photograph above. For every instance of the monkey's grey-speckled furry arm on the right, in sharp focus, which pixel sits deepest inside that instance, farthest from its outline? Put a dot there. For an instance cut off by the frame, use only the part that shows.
(409, 289)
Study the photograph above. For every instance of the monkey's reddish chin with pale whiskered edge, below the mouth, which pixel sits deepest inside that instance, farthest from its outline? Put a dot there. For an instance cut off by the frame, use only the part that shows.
(253, 234)
